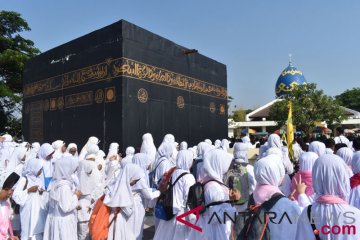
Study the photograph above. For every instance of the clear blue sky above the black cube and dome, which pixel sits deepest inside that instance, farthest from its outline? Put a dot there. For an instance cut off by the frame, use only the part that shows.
(253, 38)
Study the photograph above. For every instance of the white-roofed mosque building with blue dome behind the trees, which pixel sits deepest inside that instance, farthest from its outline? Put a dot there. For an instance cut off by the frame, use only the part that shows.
(258, 120)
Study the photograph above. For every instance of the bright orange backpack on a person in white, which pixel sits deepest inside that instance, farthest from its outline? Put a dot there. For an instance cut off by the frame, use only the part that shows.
(99, 223)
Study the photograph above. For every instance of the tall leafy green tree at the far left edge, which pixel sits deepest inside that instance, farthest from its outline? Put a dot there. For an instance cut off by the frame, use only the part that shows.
(14, 52)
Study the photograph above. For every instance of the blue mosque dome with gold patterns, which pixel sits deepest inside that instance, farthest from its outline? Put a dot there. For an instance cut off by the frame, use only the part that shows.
(288, 80)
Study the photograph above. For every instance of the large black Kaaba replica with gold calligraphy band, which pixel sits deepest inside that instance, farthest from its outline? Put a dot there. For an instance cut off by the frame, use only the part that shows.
(120, 82)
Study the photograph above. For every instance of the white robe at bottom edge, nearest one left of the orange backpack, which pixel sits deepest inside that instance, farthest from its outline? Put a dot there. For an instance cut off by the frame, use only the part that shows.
(61, 223)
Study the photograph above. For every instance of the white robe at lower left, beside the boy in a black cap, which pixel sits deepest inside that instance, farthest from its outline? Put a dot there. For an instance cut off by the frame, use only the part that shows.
(32, 211)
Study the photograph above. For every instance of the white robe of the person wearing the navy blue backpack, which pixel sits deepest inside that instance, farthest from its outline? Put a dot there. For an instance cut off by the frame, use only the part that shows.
(173, 229)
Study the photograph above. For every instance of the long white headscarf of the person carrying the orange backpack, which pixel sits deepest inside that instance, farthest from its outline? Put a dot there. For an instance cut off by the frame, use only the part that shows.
(119, 193)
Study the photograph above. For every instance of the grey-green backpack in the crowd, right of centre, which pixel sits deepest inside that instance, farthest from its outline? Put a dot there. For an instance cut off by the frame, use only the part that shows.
(238, 178)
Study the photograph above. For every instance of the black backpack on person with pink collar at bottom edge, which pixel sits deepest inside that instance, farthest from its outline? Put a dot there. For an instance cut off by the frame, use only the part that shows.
(255, 224)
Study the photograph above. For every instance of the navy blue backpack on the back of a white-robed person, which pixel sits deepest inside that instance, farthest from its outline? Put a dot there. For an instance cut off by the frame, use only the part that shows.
(164, 205)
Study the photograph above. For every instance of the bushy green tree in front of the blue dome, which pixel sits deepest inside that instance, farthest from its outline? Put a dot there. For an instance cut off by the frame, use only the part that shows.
(310, 106)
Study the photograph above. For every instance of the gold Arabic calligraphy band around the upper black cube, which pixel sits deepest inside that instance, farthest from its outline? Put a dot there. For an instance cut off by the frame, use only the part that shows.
(123, 67)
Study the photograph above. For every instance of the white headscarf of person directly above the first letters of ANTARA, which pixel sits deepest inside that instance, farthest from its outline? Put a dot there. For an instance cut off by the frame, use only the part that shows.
(216, 163)
